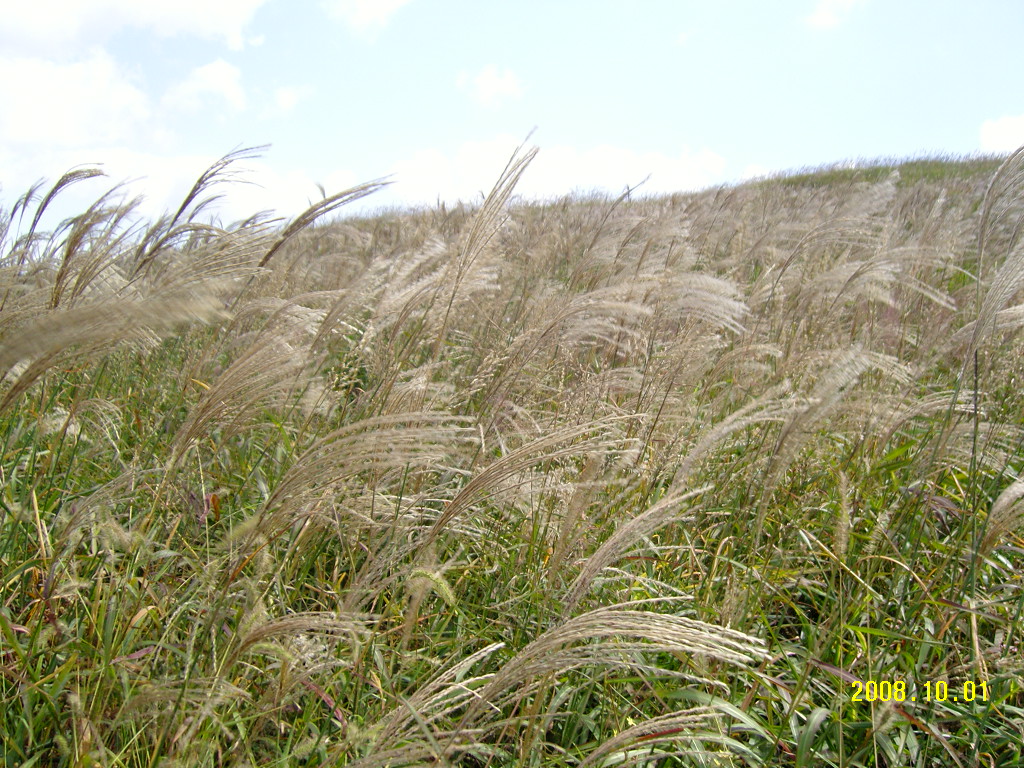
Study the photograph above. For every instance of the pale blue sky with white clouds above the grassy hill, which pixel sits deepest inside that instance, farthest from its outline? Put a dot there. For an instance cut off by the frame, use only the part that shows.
(671, 96)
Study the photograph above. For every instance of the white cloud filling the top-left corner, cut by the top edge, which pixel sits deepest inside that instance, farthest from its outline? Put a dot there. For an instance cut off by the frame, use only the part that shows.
(59, 27)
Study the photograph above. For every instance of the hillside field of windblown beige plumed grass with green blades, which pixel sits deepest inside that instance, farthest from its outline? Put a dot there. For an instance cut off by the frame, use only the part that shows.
(594, 483)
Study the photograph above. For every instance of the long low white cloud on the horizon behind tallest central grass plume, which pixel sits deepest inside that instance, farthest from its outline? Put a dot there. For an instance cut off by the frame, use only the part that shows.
(475, 167)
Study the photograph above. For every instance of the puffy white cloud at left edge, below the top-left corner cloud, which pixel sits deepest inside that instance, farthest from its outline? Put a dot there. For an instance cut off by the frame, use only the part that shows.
(53, 106)
